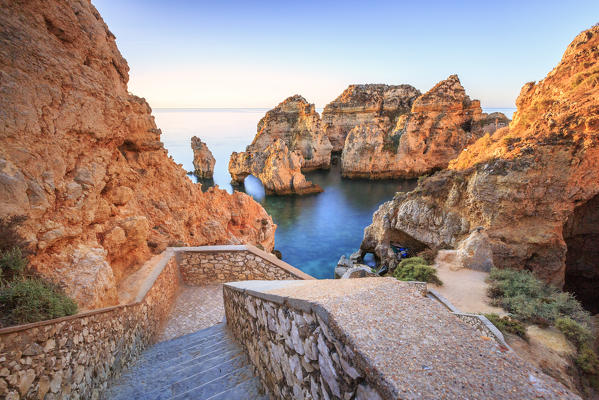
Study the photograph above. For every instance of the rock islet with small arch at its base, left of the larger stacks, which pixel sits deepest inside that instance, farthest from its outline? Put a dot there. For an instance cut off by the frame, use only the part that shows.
(297, 126)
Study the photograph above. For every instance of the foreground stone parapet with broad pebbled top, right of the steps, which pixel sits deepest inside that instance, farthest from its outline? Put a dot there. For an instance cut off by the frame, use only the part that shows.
(372, 338)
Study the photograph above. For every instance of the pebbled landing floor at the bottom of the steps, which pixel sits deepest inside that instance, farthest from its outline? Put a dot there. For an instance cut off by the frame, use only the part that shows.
(196, 308)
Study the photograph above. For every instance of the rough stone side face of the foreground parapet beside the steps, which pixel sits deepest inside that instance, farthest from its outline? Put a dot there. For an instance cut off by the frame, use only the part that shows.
(294, 350)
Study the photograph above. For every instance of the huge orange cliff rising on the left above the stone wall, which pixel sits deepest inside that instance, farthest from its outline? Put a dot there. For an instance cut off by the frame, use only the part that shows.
(82, 158)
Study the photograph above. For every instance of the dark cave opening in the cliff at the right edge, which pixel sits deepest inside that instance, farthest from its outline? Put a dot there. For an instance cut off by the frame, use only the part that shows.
(581, 234)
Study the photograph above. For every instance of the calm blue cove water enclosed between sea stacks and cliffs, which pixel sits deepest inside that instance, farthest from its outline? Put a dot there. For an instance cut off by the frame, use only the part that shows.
(315, 230)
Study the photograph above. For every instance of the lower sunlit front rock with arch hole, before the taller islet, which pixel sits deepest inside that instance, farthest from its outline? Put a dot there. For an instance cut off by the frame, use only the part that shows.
(278, 168)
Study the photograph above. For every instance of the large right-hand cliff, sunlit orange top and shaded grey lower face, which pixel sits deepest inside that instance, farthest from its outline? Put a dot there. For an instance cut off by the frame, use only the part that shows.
(522, 183)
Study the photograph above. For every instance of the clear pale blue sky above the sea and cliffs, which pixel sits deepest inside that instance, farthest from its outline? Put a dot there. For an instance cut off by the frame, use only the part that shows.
(225, 54)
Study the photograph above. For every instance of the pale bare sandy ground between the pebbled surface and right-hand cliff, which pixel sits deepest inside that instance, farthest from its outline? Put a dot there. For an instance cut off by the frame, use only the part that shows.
(466, 289)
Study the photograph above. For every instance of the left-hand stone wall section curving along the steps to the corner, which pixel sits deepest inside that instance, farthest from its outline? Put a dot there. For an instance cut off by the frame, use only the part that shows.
(74, 357)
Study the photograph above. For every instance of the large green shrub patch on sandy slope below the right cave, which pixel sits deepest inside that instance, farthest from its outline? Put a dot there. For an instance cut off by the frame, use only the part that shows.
(530, 300)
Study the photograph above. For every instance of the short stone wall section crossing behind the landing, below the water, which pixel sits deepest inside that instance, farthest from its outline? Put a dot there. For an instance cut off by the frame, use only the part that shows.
(211, 264)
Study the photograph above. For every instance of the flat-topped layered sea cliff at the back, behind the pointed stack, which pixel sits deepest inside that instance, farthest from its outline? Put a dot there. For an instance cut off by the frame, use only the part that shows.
(363, 104)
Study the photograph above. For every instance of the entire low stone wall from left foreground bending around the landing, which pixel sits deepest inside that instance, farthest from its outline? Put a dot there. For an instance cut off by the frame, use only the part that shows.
(77, 356)
